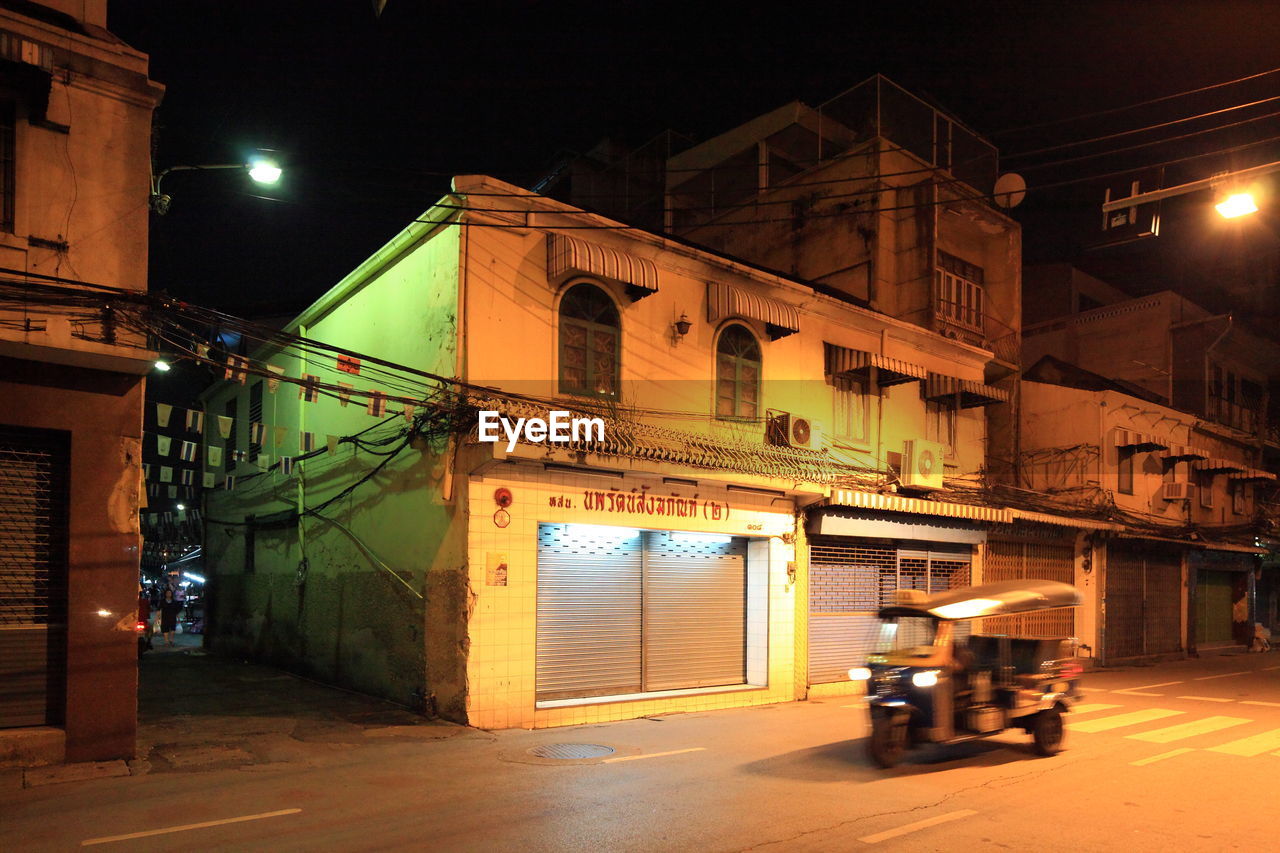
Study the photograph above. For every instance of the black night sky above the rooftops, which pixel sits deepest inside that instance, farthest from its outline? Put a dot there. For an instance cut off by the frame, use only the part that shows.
(372, 115)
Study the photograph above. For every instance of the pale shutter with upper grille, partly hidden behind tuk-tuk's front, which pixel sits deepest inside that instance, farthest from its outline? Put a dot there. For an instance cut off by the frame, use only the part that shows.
(848, 583)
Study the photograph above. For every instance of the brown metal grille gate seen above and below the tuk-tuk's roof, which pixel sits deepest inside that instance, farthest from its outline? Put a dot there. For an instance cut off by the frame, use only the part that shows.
(1025, 560)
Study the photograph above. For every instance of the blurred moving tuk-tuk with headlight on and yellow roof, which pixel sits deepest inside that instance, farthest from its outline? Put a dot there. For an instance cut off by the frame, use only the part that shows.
(927, 683)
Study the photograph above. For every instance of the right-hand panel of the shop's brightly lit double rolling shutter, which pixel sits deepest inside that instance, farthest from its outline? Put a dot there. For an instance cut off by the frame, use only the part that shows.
(694, 612)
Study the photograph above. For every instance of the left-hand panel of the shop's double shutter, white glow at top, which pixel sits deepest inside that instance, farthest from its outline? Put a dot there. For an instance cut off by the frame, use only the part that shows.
(589, 595)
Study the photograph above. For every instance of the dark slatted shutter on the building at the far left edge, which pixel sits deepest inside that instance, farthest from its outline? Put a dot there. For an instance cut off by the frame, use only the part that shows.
(34, 496)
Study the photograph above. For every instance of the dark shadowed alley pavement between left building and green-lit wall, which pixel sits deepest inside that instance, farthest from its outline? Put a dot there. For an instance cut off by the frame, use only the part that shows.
(200, 711)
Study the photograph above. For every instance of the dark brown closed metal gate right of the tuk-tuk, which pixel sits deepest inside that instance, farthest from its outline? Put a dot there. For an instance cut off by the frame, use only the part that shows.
(1144, 601)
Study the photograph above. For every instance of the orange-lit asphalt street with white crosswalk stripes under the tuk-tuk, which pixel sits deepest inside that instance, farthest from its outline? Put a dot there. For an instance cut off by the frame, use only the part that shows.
(1173, 758)
